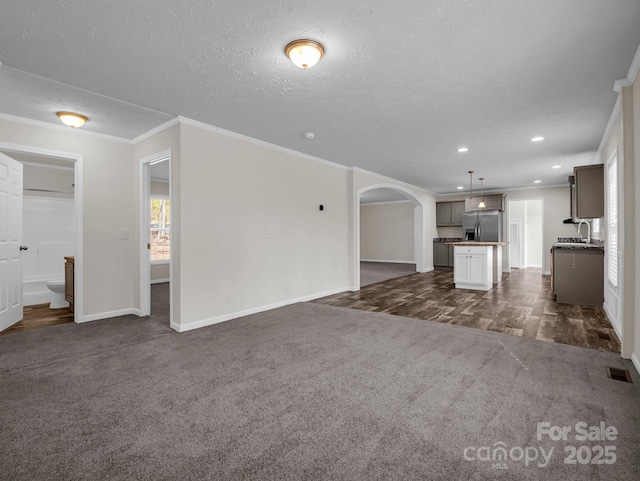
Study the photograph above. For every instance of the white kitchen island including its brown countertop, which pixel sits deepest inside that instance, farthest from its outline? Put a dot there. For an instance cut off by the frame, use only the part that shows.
(477, 265)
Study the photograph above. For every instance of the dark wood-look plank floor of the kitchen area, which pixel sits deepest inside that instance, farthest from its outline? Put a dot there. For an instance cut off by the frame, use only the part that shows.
(521, 305)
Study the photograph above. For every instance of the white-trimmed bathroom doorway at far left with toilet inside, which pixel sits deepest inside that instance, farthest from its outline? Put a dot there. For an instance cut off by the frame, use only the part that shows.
(50, 230)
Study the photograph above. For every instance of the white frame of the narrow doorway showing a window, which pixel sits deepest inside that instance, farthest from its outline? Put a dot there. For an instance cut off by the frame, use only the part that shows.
(145, 235)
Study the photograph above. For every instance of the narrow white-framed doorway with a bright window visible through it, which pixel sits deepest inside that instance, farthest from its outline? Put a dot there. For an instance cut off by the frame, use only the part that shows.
(155, 235)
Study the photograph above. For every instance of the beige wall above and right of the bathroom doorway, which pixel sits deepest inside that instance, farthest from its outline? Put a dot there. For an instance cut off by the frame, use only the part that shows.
(108, 208)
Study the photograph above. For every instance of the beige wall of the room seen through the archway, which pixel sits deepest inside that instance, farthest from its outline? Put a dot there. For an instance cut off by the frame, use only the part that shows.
(386, 232)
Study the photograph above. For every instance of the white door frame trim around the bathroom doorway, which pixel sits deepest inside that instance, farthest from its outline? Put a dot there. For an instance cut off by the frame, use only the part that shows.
(78, 291)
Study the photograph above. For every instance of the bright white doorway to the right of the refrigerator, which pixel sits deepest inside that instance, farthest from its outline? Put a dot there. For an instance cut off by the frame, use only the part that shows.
(526, 234)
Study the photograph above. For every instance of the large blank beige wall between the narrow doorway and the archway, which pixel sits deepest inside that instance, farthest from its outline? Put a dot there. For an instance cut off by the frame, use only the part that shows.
(252, 235)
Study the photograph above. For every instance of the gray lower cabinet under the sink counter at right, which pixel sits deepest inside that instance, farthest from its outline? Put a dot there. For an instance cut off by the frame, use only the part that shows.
(578, 276)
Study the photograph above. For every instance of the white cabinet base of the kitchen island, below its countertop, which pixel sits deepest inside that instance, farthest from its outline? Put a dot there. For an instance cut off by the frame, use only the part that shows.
(473, 267)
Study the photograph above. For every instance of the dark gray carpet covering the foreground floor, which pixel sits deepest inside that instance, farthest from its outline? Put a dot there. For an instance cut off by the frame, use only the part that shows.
(303, 392)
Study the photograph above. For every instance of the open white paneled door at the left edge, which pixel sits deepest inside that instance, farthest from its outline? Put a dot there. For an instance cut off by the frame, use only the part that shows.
(10, 241)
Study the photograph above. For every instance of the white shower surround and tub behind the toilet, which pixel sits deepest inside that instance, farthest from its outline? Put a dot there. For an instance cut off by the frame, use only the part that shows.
(49, 234)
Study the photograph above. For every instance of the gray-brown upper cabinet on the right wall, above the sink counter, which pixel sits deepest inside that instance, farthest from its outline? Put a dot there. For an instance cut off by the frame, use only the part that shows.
(589, 191)
